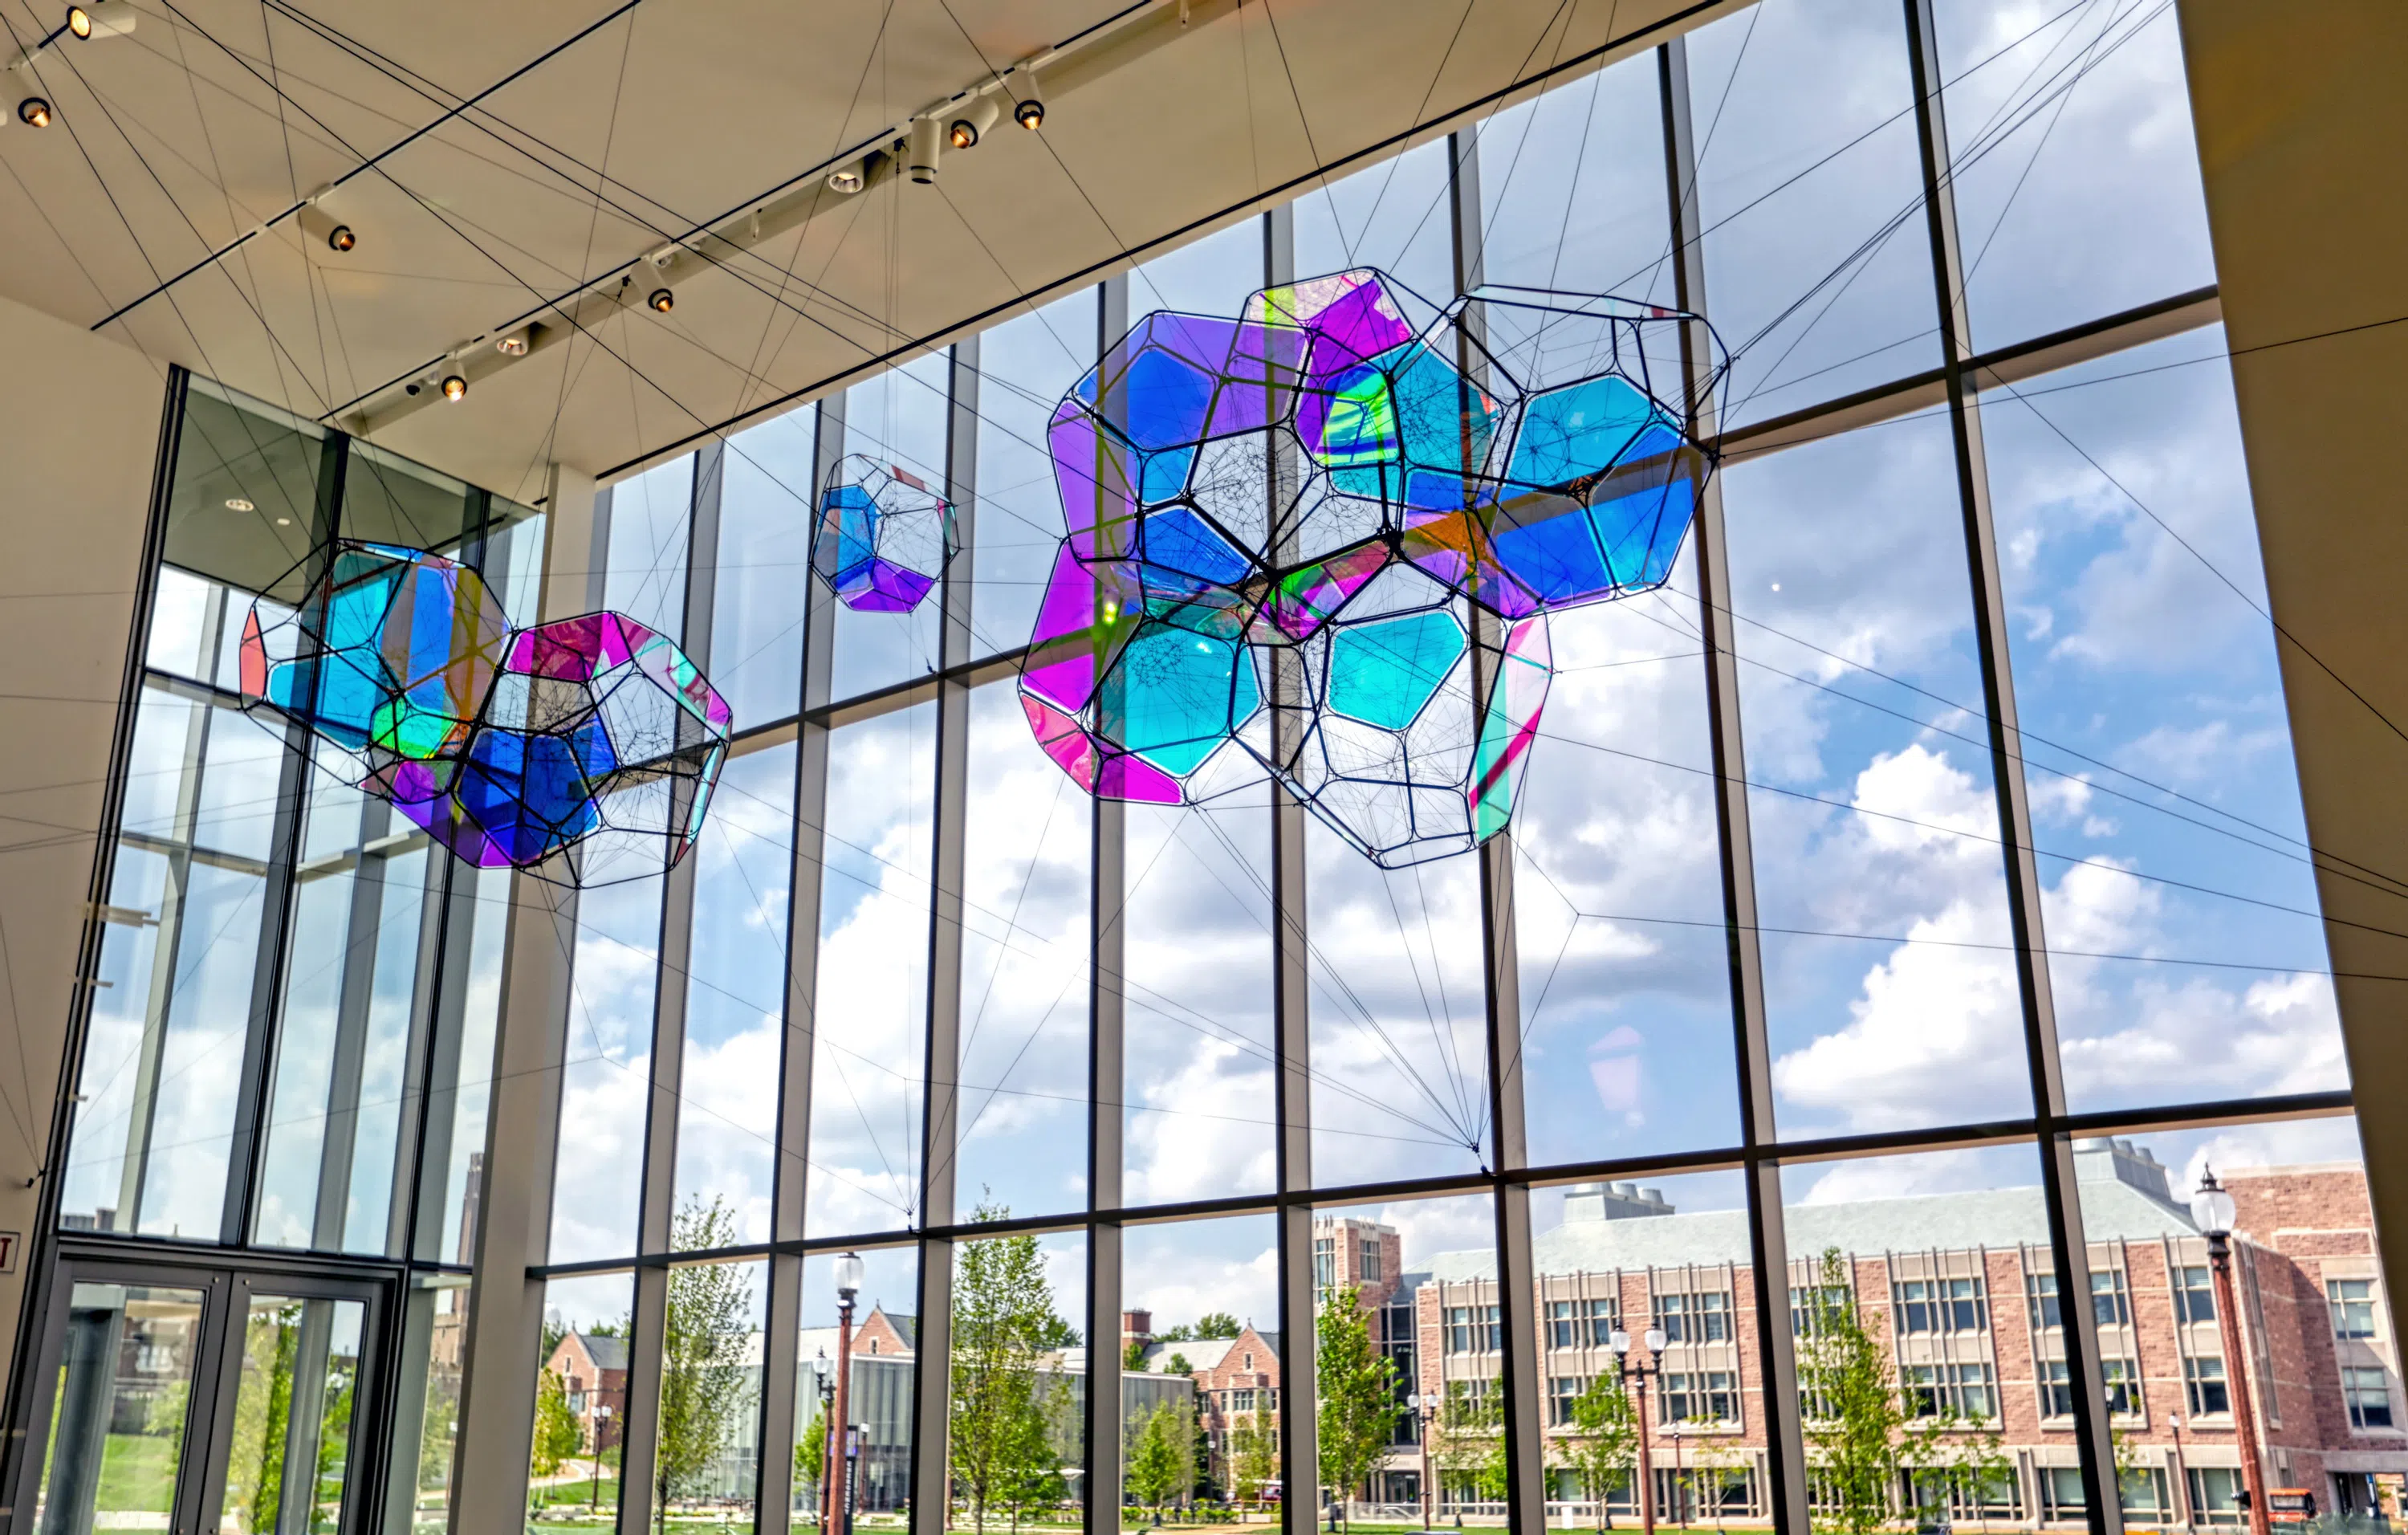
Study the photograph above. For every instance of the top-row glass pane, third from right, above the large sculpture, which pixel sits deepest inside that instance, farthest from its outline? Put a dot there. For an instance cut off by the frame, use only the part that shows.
(1574, 189)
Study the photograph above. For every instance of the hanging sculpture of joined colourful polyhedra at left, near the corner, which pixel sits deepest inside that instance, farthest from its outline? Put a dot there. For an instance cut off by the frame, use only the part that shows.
(509, 748)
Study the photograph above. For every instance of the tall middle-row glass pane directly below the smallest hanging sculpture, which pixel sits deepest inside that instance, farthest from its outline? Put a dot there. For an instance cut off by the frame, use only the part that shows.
(868, 1076)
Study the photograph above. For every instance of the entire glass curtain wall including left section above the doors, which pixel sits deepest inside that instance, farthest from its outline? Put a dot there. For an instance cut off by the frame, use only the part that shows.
(1911, 912)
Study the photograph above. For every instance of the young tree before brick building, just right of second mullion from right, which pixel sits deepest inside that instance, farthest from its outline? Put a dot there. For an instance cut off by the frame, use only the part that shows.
(1853, 1413)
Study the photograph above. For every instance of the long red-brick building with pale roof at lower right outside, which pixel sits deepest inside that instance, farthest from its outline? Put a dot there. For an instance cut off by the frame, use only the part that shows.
(1964, 1290)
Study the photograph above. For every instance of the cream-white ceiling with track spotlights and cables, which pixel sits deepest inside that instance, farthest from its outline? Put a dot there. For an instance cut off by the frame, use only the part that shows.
(213, 117)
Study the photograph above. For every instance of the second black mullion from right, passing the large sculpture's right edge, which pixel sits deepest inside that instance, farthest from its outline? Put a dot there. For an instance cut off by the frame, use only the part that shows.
(1769, 1228)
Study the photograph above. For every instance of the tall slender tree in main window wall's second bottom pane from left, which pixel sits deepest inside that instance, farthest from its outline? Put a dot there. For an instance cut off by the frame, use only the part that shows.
(702, 1358)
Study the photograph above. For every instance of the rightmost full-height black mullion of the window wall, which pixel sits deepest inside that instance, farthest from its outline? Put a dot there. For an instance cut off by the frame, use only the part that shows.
(2058, 1177)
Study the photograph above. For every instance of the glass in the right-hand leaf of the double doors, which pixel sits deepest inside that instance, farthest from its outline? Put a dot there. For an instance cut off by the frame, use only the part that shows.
(290, 1452)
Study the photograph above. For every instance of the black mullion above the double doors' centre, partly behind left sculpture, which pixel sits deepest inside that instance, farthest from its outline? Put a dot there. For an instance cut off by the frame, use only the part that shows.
(276, 898)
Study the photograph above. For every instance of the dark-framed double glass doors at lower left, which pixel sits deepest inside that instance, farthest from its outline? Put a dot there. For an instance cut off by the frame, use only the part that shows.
(203, 1404)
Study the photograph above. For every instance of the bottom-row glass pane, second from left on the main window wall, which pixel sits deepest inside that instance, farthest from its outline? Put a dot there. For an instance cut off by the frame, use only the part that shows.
(712, 1380)
